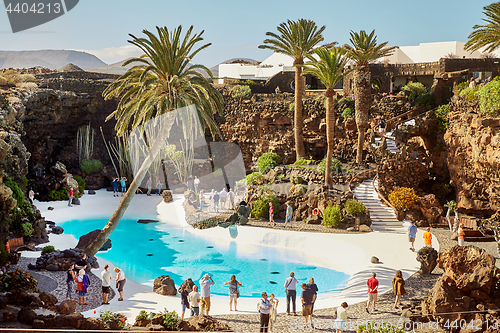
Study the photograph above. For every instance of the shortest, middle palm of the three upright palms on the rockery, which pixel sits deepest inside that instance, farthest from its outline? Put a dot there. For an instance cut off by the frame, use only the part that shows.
(329, 69)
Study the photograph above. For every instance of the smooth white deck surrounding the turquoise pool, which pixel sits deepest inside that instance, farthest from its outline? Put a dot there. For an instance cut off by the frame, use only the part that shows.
(348, 253)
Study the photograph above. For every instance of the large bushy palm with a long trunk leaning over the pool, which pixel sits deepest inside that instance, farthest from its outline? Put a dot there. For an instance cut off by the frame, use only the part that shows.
(161, 81)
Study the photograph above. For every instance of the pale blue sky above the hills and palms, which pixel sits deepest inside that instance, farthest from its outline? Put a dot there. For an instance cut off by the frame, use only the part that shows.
(235, 28)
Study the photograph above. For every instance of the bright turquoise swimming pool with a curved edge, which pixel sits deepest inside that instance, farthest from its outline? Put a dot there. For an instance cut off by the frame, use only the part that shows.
(146, 251)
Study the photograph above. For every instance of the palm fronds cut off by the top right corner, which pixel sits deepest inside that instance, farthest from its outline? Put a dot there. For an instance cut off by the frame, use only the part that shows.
(486, 35)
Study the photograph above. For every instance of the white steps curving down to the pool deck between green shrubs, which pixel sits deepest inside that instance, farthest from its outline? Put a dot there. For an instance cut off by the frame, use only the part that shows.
(383, 217)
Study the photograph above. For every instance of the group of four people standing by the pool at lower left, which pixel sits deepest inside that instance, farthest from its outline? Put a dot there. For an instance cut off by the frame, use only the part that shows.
(76, 274)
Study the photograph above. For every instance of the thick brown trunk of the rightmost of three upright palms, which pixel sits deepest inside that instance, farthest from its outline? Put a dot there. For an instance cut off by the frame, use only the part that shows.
(362, 91)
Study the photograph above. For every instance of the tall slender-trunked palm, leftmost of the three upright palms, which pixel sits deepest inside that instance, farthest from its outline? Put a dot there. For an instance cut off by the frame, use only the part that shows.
(296, 39)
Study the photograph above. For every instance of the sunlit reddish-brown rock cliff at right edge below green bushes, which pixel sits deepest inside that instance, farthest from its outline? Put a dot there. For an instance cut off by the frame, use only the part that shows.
(473, 156)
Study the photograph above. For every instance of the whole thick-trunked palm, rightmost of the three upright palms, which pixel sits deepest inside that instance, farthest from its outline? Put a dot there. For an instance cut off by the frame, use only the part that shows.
(364, 50)
